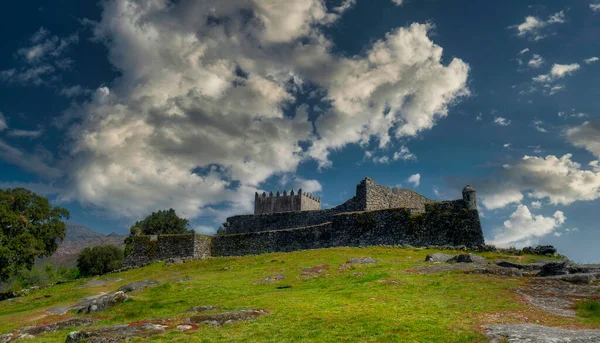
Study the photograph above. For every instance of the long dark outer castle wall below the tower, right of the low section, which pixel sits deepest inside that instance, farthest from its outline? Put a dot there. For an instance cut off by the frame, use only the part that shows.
(446, 223)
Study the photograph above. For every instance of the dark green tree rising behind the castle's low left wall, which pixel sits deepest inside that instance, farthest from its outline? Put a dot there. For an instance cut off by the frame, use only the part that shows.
(162, 222)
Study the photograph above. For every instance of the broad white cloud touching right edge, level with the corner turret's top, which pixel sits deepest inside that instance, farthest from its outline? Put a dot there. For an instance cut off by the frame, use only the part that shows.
(559, 180)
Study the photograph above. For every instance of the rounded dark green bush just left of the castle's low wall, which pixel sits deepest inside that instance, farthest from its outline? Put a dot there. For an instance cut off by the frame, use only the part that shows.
(100, 260)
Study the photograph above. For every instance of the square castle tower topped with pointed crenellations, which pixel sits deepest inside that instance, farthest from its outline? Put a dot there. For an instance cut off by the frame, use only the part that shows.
(285, 202)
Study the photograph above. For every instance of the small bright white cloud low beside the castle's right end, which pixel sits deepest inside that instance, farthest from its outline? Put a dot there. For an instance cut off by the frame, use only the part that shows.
(522, 227)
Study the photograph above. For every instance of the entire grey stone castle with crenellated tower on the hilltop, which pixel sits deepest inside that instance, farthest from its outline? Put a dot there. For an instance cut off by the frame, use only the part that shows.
(375, 215)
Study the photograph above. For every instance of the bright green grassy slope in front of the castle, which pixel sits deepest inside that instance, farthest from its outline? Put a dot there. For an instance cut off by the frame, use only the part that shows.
(448, 307)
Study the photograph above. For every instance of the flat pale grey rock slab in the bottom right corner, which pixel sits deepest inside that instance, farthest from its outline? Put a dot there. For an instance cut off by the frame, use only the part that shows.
(529, 333)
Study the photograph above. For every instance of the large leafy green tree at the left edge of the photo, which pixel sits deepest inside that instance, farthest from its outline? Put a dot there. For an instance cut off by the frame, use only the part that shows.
(29, 227)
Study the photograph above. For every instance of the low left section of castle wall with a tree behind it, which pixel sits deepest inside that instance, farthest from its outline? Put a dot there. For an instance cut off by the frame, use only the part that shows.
(146, 249)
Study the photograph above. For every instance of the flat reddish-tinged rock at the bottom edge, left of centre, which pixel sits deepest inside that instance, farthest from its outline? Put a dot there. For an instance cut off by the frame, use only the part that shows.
(115, 333)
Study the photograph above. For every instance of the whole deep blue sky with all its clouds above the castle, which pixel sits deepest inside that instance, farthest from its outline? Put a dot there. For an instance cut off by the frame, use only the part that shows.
(119, 108)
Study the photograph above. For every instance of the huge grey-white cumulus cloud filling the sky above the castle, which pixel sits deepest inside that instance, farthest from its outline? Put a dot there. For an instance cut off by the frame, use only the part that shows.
(206, 107)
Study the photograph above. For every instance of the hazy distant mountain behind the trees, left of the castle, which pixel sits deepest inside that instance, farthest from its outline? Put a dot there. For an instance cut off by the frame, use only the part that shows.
(79, 237)
